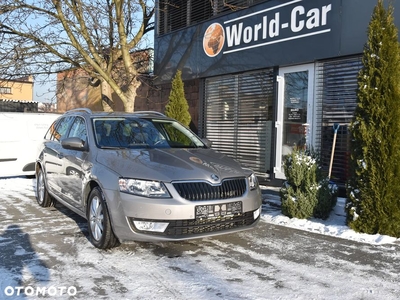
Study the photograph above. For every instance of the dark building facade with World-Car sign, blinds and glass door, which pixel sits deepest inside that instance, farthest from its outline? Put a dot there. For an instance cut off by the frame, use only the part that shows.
(271, 75)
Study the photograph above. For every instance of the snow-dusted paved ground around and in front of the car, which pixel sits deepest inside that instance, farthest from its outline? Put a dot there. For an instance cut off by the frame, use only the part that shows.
(201, 269)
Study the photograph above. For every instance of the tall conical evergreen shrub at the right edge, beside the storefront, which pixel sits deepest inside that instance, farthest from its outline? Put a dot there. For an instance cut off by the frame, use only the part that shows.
(373, 187)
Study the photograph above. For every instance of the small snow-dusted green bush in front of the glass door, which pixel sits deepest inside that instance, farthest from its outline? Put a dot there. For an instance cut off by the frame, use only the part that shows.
(306, 193)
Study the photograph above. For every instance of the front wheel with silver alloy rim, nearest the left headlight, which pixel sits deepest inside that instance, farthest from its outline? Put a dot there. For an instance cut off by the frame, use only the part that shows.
(101, 234)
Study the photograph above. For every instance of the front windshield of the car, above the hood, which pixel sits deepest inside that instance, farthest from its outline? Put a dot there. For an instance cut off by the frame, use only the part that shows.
(124, 132)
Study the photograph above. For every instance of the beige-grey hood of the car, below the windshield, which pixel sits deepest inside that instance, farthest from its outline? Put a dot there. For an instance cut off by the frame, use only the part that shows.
(170, 164)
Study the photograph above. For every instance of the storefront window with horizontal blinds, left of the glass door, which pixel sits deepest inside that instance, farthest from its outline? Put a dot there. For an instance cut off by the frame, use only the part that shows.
(239, 112)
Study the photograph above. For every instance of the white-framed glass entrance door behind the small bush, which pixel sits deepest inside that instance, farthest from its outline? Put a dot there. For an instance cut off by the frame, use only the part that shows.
(295, 112)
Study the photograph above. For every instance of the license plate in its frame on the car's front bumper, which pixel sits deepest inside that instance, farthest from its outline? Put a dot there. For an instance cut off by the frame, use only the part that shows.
(220, 210)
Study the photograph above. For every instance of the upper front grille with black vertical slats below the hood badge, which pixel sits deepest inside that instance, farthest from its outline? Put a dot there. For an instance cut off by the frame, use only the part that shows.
(199, 191)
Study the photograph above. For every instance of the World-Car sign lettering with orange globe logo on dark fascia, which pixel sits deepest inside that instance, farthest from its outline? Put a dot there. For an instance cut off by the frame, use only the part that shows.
(269, 26)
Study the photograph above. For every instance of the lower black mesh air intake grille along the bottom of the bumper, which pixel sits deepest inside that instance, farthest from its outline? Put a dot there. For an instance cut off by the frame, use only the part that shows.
(187, 228)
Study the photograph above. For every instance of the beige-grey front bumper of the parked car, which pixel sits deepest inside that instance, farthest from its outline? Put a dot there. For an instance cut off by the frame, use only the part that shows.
(179, 216)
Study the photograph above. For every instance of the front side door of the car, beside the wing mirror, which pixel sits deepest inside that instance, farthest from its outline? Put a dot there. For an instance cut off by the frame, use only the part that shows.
(73, 161)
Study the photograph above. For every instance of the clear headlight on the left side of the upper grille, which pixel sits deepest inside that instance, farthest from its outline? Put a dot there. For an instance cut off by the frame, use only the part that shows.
(146, 188)
